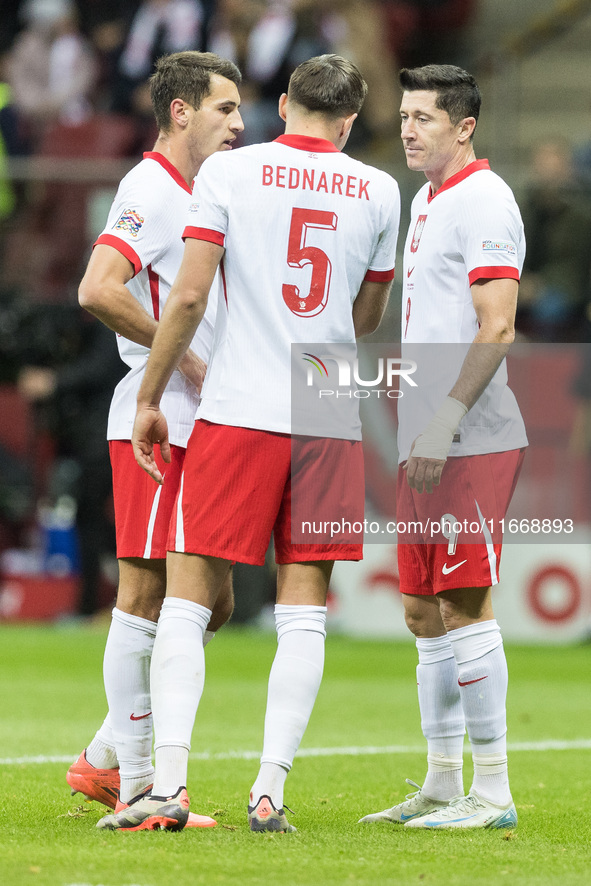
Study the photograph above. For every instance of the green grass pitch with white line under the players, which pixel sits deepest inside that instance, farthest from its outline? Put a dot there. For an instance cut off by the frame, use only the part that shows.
(363, 740)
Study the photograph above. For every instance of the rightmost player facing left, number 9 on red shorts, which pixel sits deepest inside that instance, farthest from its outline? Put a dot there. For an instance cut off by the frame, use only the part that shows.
(462, 261)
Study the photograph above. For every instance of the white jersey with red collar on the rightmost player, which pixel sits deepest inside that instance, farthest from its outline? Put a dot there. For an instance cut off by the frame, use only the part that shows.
(469, 230)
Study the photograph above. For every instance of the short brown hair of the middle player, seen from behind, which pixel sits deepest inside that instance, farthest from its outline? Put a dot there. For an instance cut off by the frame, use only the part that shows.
(329, 84)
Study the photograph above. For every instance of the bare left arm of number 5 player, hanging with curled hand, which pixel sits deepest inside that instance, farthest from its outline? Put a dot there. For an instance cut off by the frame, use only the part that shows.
(182, 314)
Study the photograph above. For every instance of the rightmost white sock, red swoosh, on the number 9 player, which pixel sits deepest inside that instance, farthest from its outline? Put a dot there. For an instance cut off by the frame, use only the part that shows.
(482, 678)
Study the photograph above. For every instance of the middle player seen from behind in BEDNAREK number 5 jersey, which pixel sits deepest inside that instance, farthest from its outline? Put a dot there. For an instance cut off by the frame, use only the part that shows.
(306, 239)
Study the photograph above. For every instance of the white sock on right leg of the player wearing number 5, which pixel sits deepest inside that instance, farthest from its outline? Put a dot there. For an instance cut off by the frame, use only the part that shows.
(293, 686)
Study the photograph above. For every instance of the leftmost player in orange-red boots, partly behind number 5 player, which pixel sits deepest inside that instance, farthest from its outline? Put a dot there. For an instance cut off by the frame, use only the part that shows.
(126, 284)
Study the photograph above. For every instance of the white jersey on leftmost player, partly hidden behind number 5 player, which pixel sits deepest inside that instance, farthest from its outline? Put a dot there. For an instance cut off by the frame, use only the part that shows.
(145, 224)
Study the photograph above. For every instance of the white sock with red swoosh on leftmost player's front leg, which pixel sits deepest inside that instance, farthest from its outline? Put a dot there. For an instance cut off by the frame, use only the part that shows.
(126, 672)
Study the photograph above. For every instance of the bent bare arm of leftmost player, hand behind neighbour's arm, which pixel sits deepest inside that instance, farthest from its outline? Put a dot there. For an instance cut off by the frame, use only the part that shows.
(103, 293)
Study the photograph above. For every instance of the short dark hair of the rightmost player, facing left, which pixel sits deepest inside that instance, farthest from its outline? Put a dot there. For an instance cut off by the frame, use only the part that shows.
(457, 91)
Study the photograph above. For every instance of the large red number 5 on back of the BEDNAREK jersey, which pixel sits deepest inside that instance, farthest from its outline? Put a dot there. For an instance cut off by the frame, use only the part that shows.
(298, 255)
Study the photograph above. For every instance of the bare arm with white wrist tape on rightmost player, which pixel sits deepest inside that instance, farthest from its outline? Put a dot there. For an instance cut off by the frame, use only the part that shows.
(495, 302)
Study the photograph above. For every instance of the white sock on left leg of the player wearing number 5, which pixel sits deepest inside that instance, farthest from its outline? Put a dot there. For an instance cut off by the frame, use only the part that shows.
(177, 678)
